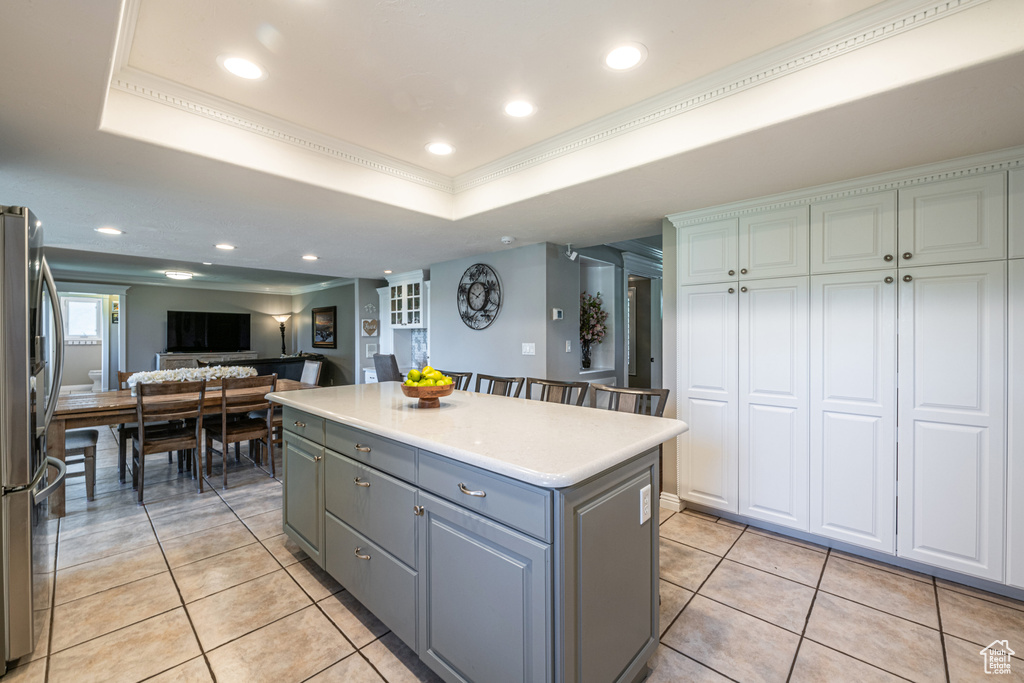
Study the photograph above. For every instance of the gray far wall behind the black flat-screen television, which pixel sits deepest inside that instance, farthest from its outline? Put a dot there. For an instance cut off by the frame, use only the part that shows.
(145, 312)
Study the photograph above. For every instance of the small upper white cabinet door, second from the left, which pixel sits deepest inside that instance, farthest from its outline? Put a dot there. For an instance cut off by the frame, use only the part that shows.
(775, 244)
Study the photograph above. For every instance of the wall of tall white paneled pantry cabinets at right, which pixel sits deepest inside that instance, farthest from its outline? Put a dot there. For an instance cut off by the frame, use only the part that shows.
(855, 367)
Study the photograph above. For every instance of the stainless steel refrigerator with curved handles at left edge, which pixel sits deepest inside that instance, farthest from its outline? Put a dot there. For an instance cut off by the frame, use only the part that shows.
(31, 366)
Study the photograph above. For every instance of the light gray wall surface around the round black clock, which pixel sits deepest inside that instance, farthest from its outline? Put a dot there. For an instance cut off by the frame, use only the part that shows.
(524, 316)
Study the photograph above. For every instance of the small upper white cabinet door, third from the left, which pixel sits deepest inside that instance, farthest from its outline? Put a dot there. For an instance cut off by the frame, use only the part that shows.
(855, 234)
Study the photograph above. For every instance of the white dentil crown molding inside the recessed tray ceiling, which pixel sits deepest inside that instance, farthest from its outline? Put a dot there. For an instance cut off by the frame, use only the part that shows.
(867, 28)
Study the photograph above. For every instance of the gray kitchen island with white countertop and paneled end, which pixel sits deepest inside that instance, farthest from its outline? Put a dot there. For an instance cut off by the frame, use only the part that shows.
(501, 539)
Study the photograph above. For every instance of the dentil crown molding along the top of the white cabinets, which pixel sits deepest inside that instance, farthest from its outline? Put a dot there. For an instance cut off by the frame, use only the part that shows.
(957, 168)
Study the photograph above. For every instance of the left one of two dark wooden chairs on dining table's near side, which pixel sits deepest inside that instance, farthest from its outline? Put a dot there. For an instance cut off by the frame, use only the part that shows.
(170, 418)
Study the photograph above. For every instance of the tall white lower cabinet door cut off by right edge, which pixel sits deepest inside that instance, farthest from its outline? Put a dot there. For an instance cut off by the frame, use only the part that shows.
(1015, 478)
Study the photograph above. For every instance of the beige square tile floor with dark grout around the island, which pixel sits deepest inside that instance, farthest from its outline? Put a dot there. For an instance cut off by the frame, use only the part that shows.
(206, 587)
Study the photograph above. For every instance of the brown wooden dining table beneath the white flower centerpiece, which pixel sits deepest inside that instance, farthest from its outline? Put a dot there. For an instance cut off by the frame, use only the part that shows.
(101, 409)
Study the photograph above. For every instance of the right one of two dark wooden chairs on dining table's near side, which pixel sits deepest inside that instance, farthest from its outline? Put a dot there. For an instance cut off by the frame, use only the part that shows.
(239, 398)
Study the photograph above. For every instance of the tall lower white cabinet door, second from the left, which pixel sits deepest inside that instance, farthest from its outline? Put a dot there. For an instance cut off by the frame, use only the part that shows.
(774, 451)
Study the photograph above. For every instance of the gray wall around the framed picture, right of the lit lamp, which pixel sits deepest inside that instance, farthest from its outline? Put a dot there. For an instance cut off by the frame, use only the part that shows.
(339, 367)
